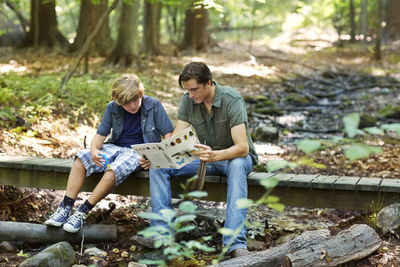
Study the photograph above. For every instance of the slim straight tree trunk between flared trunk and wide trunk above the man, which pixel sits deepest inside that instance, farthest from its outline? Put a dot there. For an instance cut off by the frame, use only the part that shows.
(151, 28)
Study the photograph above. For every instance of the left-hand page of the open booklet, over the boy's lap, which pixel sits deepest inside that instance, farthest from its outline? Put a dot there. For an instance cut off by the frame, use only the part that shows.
(155, 154)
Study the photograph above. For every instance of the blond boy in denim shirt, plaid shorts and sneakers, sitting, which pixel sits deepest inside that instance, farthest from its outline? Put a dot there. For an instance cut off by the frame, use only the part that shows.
(134, 119)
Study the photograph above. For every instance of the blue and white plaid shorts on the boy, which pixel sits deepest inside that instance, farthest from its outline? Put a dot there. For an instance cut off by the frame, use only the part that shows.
(122, 160)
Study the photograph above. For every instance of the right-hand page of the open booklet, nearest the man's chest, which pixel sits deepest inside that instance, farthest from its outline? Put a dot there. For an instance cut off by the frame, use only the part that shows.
(180, 147)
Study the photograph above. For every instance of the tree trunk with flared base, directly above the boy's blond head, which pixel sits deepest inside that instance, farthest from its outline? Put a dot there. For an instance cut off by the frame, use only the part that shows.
(126, 48)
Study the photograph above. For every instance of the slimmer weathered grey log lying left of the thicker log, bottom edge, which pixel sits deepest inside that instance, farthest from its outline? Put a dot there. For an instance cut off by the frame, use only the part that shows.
(273, 257)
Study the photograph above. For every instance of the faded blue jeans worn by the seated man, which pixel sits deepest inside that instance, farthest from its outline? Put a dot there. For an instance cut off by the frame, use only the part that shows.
(236, 171)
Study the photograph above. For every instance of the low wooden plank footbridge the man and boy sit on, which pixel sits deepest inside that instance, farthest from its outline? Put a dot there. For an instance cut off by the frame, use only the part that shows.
(318, 191)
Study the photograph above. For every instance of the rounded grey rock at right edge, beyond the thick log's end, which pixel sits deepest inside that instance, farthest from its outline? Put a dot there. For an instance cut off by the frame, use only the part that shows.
(388, 219)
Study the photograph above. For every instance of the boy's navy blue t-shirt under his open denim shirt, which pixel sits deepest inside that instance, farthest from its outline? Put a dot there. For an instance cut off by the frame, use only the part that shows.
(131, 131)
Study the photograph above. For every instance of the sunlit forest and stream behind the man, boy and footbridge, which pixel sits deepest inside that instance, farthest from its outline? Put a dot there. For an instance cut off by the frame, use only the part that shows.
(303, 66)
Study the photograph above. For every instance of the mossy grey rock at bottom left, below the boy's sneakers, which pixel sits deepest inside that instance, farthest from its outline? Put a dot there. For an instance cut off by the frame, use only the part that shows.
(60, 254)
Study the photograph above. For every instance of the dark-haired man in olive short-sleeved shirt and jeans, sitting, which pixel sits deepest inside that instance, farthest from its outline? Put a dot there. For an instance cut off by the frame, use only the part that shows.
(218, 114)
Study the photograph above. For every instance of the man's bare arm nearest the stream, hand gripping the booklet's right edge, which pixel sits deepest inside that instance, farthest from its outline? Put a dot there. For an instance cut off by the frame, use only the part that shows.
(239, 149)
